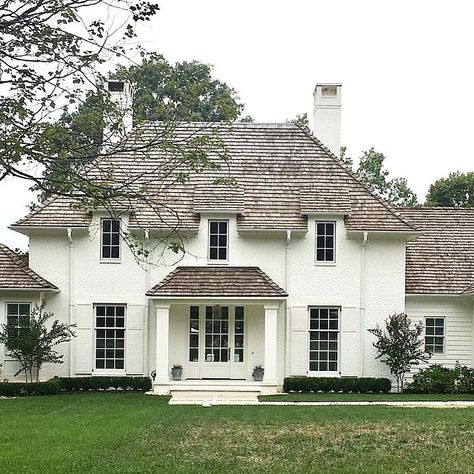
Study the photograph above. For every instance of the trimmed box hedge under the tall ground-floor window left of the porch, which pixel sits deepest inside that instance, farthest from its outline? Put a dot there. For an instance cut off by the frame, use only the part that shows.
(75, 384)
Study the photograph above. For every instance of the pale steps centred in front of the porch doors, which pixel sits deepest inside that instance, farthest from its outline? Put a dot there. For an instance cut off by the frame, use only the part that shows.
(214, 396)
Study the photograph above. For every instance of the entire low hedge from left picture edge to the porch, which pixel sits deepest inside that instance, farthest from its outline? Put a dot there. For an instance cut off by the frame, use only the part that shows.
(60, 385)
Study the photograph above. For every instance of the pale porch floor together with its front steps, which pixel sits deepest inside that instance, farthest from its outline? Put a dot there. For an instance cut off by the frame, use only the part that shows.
(214, 392)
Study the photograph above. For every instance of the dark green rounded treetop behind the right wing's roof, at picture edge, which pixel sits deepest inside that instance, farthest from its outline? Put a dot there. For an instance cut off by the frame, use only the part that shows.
(457, 190)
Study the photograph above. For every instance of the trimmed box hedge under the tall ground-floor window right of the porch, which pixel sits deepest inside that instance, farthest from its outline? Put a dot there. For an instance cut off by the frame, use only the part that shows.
(336, 384)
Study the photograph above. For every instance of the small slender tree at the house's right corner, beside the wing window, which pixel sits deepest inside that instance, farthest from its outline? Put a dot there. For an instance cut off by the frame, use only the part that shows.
(400, 345)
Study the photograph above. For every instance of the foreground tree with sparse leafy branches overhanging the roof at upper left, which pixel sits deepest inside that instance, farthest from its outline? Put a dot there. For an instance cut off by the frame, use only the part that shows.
(52, 53)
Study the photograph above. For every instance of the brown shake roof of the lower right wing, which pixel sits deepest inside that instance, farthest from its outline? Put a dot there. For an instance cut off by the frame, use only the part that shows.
(441, 259)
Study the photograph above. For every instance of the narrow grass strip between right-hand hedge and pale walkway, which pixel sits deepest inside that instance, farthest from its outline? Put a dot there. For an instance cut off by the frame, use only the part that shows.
(365, 397)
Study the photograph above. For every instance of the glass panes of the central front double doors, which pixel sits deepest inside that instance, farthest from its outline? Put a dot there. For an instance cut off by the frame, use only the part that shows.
(217, 334)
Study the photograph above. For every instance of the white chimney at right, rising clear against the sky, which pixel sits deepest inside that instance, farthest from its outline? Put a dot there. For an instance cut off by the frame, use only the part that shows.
(327, 115)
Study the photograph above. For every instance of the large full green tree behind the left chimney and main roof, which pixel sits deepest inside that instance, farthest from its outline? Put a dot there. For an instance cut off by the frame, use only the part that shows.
(162, 92)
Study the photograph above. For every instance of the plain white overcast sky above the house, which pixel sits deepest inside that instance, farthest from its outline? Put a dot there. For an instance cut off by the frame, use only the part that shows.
(406, 67)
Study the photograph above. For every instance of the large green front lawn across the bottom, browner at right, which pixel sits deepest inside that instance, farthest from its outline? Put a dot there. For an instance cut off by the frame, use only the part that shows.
(134, 433)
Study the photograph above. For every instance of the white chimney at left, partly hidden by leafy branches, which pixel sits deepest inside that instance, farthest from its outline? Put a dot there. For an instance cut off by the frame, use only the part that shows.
(120, 93)
